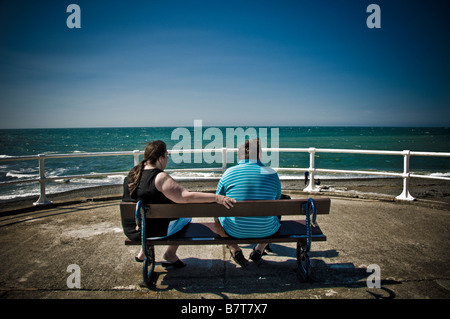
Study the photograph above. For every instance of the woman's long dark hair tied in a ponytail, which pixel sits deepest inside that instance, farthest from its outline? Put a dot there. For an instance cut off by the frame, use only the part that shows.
(153, 152)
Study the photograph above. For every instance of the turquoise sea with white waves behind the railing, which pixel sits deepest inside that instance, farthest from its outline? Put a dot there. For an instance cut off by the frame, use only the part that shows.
(18, 142)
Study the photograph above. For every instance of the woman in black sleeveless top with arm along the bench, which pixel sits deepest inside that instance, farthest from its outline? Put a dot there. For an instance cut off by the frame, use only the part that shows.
(148, 182)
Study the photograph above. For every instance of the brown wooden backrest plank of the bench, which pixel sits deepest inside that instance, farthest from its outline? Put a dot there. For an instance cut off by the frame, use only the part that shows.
(241, 208)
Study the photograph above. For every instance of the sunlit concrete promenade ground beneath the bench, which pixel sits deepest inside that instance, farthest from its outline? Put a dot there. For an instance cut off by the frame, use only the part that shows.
(408, 241)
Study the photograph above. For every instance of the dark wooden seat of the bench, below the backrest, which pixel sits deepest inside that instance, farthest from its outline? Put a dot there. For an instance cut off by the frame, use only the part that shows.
(206, 233)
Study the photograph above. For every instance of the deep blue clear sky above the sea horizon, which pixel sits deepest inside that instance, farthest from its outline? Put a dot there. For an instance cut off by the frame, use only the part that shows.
(232, 63)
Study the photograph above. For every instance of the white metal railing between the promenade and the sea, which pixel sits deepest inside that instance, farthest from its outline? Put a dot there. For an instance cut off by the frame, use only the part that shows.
(311, 187)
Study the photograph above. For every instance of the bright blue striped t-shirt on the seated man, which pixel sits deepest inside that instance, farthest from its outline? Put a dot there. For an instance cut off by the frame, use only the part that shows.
(250, 180)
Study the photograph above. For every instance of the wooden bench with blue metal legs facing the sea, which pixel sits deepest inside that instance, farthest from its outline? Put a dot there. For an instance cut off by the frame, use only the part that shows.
(302, 231)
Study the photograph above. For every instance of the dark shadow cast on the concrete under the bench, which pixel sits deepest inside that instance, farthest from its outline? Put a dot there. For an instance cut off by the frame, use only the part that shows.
(277, 274)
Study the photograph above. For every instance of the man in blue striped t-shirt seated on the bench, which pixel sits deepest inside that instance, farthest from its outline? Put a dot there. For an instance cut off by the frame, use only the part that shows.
(249, 180)
